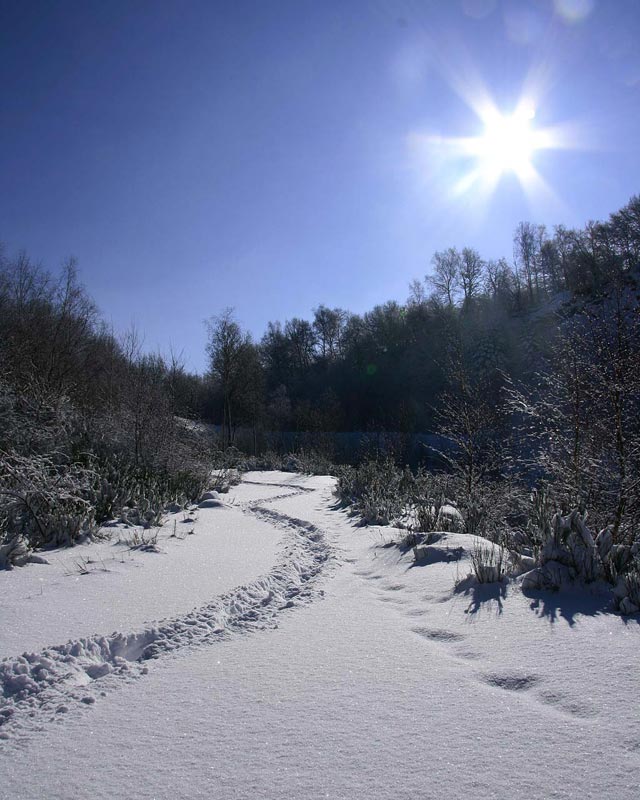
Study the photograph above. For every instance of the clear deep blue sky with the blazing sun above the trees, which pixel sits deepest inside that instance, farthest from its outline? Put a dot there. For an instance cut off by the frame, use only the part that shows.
(275, 155)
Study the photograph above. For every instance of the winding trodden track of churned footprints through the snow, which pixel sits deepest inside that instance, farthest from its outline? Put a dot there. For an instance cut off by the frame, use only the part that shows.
(38, 686)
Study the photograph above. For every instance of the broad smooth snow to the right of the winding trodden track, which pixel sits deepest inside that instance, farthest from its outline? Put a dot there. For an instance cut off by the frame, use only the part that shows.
(391, 685)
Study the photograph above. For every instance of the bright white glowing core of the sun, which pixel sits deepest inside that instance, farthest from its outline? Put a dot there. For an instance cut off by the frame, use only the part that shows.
(508, 143)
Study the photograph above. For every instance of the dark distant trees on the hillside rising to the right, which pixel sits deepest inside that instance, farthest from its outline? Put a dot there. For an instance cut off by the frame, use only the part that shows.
(386, 369)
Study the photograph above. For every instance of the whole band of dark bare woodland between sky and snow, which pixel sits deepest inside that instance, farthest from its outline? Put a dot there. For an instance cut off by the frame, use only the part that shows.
(494, 379)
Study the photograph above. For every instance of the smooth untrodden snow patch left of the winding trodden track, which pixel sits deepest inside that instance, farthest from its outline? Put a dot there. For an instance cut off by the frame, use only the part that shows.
(99, 588)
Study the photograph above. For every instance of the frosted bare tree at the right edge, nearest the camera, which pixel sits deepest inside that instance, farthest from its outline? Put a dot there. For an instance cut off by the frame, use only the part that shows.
(580, 423)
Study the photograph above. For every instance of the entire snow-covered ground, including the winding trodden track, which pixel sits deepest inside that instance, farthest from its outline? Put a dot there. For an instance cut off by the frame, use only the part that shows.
(316, 663)
